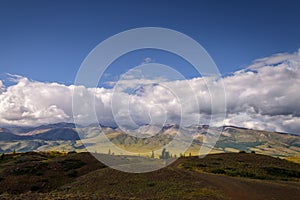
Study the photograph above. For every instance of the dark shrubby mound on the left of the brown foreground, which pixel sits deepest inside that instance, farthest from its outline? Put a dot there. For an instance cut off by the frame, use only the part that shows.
(42, 172)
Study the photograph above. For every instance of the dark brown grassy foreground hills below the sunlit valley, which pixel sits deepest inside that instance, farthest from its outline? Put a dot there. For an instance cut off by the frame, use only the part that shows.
(80, 176)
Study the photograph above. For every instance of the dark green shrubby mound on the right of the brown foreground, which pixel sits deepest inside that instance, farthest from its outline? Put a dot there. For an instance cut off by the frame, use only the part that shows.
(246, 165)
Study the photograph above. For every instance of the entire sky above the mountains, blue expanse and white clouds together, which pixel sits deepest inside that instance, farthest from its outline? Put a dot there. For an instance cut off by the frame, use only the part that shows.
(46, 41)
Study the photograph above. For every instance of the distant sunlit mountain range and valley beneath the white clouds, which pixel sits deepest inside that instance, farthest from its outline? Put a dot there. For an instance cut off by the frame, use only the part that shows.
(68, 137)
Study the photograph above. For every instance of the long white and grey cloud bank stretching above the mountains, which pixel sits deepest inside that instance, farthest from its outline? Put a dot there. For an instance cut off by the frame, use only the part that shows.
(265, 96)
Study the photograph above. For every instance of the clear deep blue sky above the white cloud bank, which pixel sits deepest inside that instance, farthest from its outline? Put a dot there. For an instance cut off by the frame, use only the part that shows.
(48, 40)
